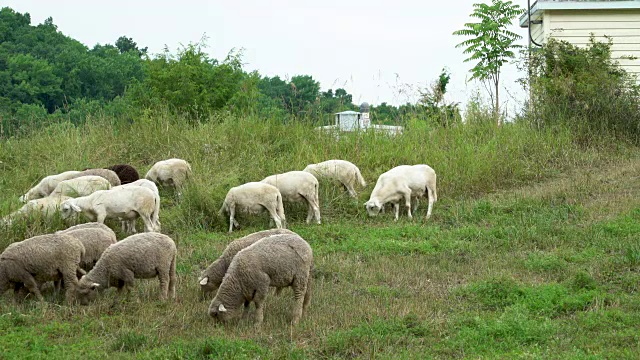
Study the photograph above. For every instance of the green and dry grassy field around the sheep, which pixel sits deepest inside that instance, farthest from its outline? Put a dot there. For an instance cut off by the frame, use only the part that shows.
(532, 251)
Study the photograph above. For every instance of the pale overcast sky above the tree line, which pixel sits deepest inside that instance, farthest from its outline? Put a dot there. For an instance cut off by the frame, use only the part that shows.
(377, 50)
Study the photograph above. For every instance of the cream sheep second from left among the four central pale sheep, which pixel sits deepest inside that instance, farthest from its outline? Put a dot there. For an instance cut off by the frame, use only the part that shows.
(298, 186)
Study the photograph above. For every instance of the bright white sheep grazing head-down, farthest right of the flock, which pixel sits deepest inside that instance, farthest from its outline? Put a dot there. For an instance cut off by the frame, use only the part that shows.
(408, 181)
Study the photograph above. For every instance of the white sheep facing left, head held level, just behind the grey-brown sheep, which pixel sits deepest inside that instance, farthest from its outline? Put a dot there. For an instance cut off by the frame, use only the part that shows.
(125, 203)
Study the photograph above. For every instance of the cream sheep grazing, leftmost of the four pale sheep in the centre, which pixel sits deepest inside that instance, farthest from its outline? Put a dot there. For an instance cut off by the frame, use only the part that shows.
(254, 197)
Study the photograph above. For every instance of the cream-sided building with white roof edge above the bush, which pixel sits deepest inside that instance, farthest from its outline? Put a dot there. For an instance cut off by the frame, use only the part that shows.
(575, 20)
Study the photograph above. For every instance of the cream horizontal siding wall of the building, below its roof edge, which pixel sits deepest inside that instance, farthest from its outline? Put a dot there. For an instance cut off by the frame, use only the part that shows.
(623, 26)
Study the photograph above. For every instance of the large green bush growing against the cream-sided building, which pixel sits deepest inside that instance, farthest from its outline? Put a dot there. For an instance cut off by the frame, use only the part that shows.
(584, 89)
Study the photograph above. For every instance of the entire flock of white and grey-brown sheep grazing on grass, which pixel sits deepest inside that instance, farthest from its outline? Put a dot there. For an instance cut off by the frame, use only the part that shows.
(87, 258)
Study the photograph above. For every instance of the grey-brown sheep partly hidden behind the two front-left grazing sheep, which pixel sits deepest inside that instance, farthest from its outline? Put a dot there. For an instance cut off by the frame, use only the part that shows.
(95, 238)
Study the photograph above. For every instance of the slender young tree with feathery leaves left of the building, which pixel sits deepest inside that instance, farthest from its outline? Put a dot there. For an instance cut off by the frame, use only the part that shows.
(491, 44)
